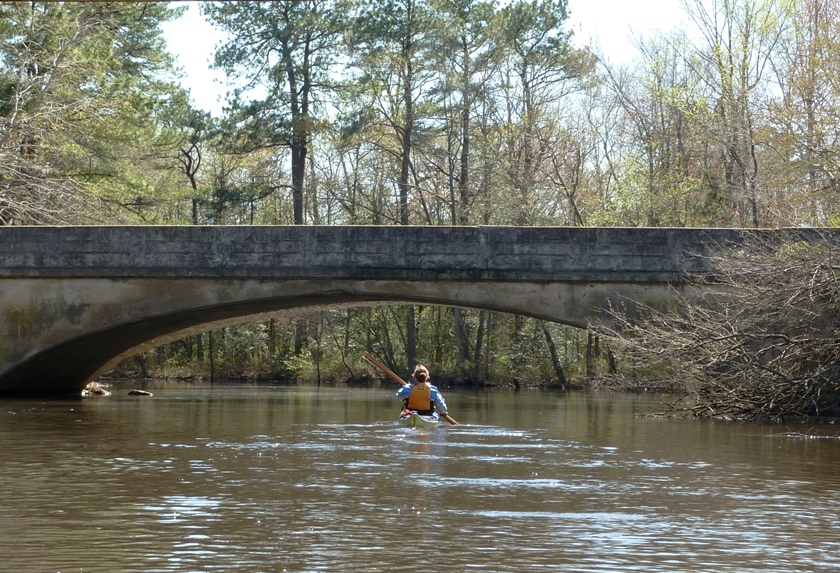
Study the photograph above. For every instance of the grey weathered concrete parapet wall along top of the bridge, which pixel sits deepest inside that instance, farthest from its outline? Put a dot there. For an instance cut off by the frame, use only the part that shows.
(353, 252)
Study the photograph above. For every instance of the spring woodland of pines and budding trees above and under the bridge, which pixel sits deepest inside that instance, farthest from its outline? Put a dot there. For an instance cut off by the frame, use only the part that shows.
(422, 112)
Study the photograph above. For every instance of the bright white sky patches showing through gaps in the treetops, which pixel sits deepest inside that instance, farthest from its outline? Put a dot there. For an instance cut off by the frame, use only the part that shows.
(606, 24)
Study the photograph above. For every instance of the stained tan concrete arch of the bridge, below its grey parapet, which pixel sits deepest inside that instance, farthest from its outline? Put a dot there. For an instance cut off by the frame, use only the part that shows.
(153, 312)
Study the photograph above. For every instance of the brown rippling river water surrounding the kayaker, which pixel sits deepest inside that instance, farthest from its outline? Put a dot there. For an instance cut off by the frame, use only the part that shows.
(270, 479)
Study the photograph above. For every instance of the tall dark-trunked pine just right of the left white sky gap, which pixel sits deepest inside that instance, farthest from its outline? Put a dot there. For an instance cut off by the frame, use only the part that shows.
(282, 53)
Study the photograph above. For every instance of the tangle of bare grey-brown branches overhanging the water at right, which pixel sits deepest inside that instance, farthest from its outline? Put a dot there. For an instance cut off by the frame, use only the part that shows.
(764, 344)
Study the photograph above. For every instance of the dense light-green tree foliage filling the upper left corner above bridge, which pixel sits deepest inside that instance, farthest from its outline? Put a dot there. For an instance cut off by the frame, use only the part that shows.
(80, 84)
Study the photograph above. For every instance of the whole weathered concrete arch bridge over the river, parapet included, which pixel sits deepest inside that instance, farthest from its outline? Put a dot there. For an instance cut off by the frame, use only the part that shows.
(75, 301)
